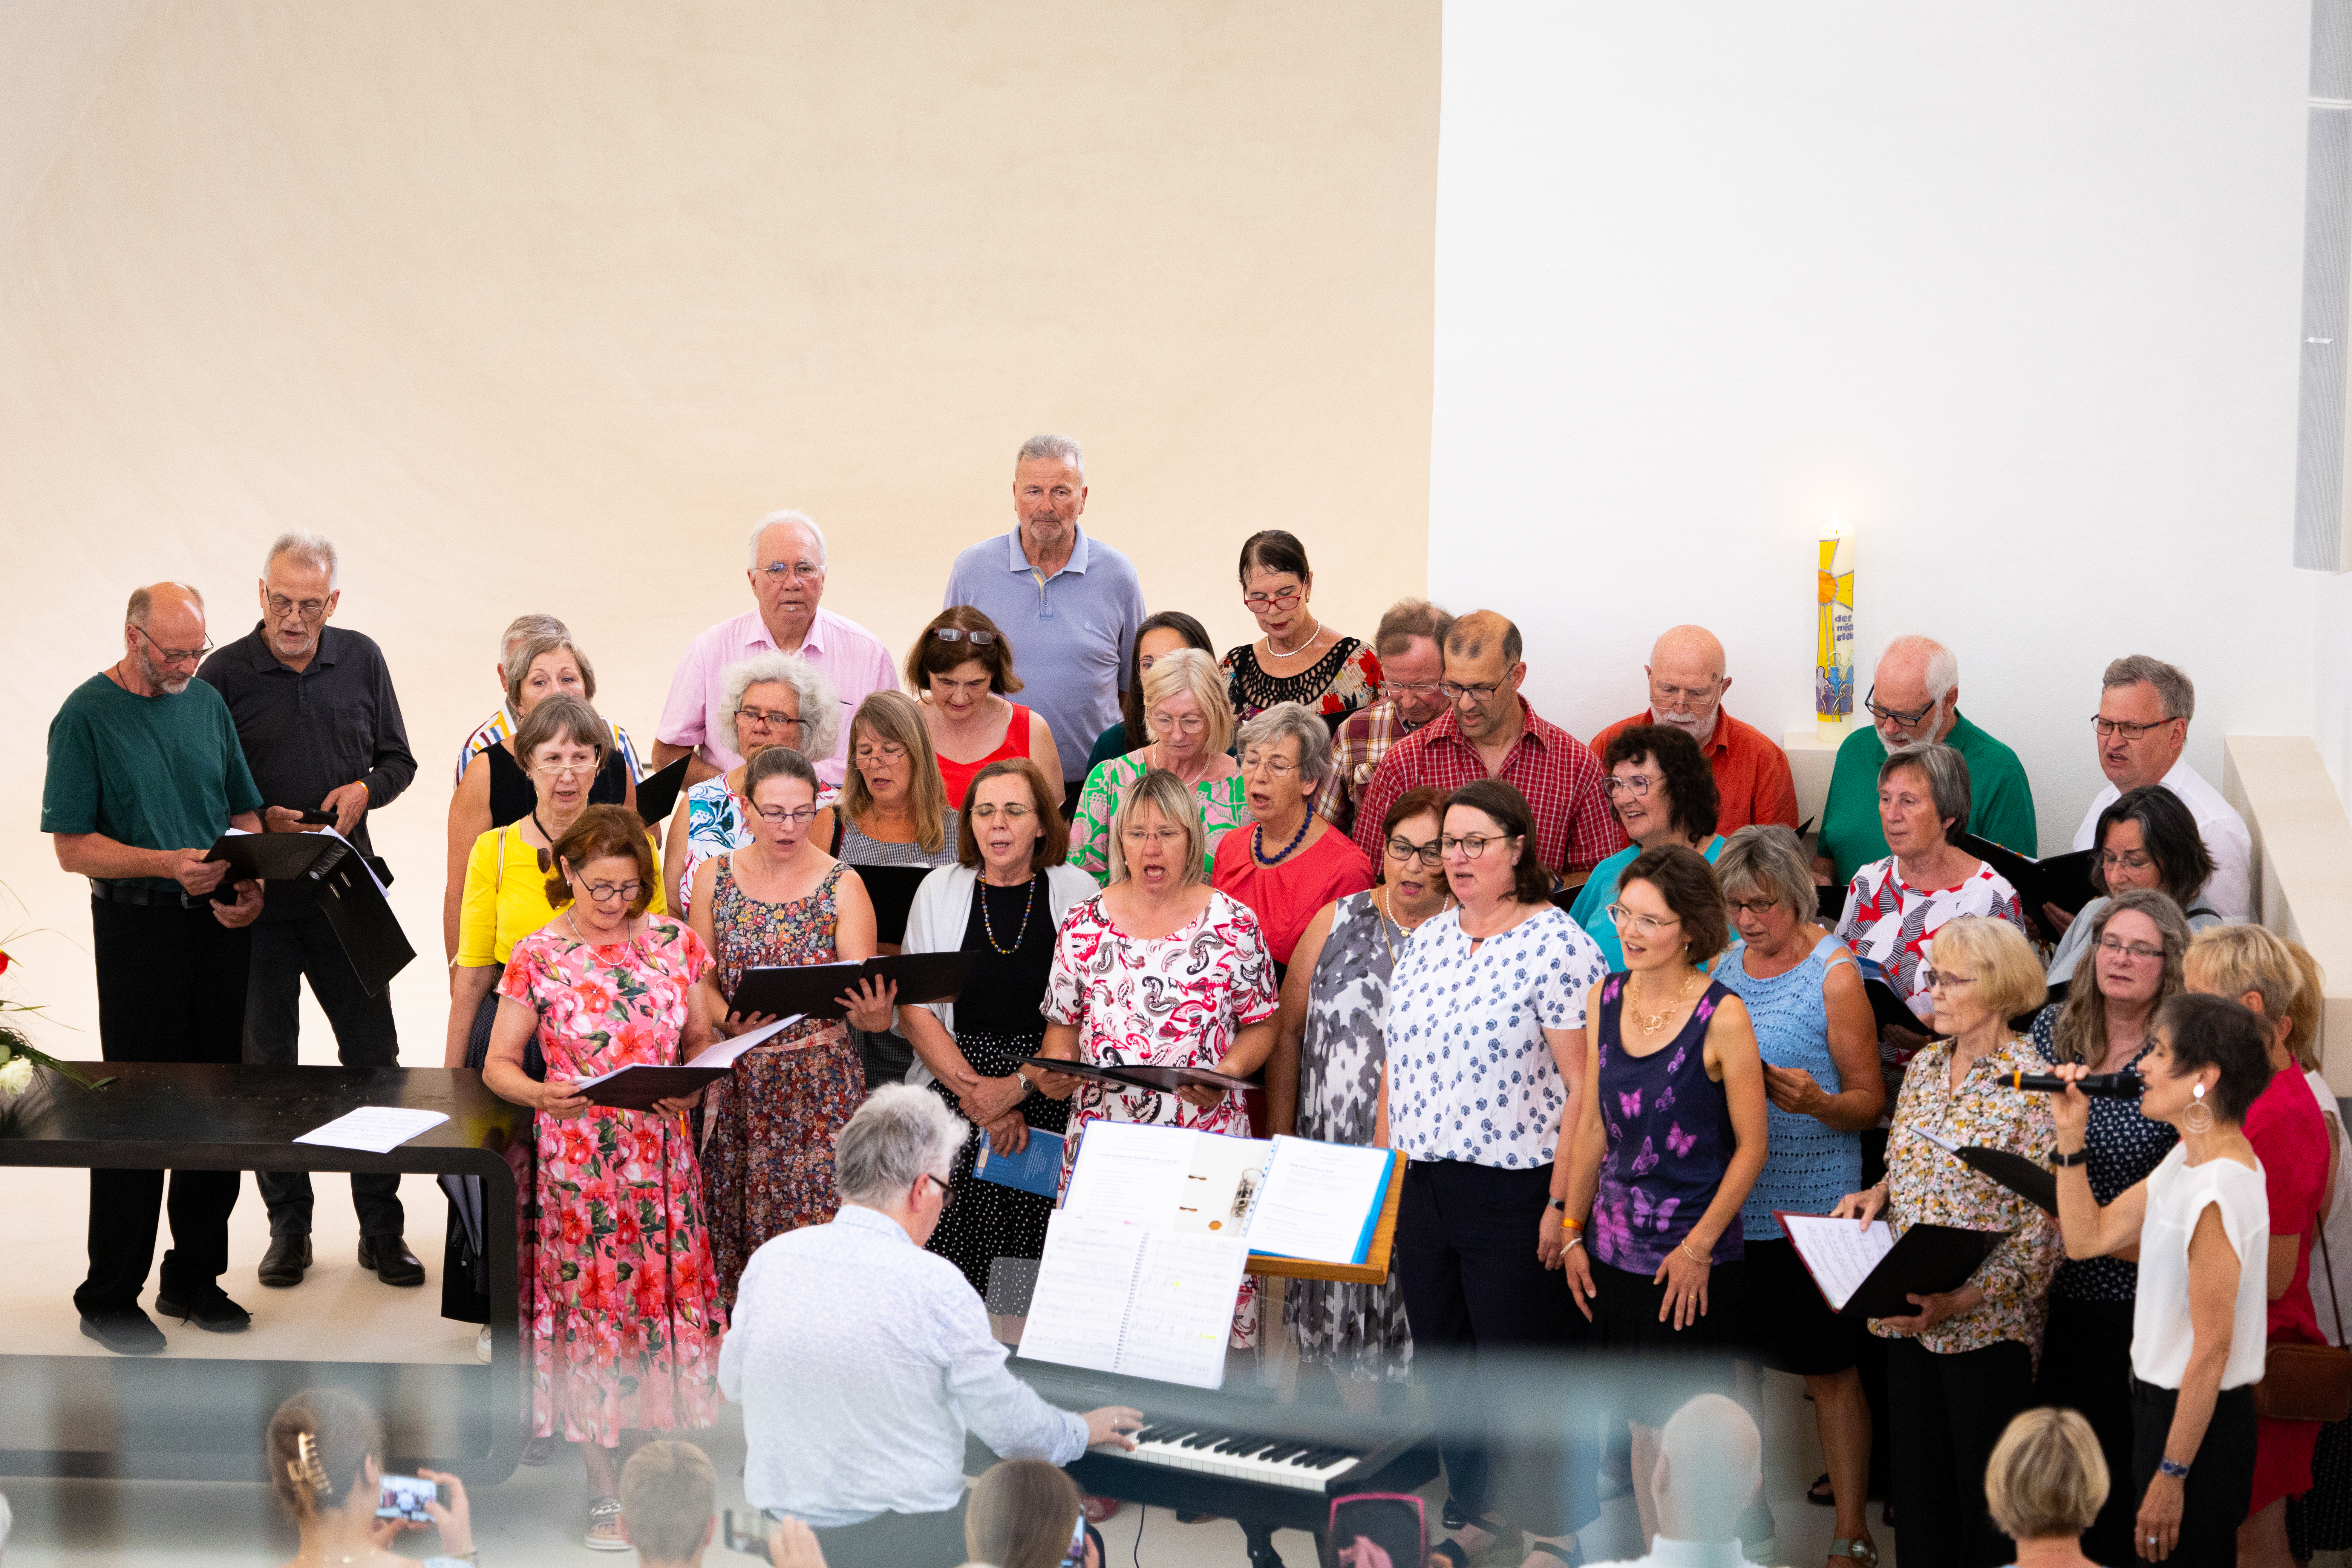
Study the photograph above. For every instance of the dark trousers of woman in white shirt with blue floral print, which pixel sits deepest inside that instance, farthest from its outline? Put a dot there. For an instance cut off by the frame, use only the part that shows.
(1466, 1264)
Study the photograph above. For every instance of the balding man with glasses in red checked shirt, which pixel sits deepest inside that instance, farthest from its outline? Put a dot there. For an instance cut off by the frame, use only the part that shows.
(1490, 732)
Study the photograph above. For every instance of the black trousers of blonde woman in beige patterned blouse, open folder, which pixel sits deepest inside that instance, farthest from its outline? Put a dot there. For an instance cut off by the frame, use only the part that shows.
(1949, 1414)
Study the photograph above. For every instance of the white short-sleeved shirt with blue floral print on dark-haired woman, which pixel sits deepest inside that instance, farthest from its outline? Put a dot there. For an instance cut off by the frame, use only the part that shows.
(1469, 1068)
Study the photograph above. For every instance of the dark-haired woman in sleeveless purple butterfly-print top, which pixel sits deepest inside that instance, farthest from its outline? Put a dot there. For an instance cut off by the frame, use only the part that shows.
(1666, 1148)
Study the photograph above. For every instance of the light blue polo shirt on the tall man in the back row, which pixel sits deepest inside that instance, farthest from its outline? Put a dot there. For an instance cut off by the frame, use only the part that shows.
(1071, 634)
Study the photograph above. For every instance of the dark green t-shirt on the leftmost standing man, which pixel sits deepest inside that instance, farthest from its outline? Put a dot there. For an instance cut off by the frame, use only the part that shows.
(152, 772)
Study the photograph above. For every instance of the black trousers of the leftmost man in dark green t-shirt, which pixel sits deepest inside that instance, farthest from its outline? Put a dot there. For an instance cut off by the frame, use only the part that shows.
(171, 991)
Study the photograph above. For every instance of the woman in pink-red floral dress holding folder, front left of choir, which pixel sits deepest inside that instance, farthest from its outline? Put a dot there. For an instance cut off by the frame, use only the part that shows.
(620, 1306)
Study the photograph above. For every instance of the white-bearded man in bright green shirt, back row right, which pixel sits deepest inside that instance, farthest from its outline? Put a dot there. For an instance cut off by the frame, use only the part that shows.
(1916, 699)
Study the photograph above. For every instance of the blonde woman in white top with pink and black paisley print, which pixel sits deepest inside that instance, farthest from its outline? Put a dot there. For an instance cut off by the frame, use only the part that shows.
(1161, 970)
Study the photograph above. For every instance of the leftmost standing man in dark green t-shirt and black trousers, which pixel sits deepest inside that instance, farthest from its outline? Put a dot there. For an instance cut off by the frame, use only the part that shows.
(145, 775)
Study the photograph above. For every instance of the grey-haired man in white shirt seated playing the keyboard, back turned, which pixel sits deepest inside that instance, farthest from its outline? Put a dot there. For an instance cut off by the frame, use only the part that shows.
(862, 1360)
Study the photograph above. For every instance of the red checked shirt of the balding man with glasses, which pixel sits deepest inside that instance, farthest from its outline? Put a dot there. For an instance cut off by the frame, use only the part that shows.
(1551, 768)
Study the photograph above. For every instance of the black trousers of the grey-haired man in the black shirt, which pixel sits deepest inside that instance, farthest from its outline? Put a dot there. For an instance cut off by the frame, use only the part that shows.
(286, 953)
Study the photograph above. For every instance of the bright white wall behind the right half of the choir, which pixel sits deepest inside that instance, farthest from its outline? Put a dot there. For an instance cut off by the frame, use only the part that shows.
(2010, 286)
